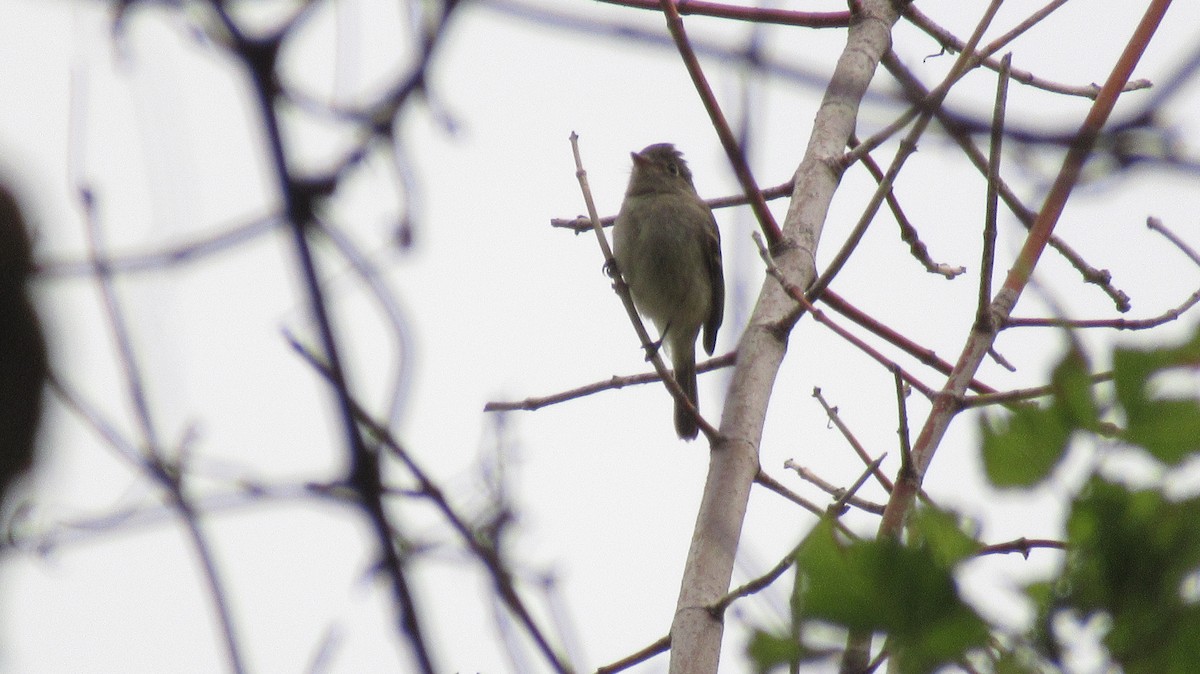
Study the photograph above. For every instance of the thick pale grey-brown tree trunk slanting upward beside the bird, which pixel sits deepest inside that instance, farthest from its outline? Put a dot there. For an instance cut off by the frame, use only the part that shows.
(695, 633)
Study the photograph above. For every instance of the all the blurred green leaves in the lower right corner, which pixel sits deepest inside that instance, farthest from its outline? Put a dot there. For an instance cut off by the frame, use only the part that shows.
(1133, 562)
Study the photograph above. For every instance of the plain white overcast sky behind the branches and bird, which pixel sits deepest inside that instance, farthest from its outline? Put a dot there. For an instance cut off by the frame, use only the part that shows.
(497, 306)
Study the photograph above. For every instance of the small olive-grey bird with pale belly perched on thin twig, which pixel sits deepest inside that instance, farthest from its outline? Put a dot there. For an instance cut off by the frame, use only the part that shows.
(669, 250)
